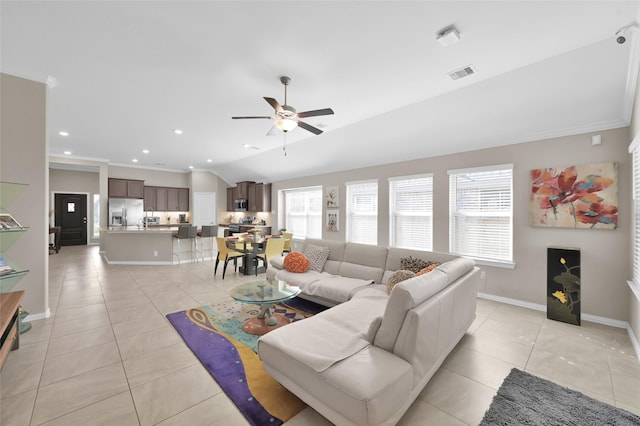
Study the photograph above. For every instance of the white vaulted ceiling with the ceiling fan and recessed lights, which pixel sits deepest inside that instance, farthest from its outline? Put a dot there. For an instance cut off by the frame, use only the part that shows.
(124, 75)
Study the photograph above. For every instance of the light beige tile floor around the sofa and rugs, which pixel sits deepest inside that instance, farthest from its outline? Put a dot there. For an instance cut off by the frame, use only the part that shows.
(107, 355)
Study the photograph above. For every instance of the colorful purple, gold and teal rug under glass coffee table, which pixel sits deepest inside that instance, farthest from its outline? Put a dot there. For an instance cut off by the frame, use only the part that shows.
(214, 334)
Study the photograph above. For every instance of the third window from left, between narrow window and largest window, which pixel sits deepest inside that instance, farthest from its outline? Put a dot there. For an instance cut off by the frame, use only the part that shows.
(411, 212)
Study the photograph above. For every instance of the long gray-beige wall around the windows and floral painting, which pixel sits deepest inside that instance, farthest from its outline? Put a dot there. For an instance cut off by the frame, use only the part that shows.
(604, 272)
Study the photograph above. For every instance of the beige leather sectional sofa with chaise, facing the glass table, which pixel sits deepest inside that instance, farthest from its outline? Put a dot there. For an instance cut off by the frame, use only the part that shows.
(365, 360)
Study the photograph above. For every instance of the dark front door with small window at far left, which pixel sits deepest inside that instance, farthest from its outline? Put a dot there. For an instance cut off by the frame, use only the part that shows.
(71, 216)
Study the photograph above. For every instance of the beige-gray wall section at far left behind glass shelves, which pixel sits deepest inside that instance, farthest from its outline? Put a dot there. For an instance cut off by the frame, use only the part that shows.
(24, 154)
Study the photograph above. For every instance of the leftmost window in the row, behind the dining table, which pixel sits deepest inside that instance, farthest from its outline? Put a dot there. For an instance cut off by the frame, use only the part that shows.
(303, 212)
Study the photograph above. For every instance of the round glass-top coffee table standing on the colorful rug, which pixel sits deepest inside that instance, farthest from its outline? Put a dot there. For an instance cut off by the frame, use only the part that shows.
(265, 294)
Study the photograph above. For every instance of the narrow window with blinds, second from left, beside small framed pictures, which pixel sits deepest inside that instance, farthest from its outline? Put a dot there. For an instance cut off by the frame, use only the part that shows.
(362, 212)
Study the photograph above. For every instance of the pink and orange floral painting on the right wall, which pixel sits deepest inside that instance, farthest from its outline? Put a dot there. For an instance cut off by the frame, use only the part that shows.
(584, 197)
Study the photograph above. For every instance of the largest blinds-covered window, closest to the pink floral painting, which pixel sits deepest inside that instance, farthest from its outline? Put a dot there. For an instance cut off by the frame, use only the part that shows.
(481, 213)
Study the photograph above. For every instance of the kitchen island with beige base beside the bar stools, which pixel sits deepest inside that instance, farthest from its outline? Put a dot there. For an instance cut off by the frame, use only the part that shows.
(139, 246)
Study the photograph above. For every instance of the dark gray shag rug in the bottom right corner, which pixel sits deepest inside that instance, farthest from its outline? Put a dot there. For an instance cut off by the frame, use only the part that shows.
(524, 399)
